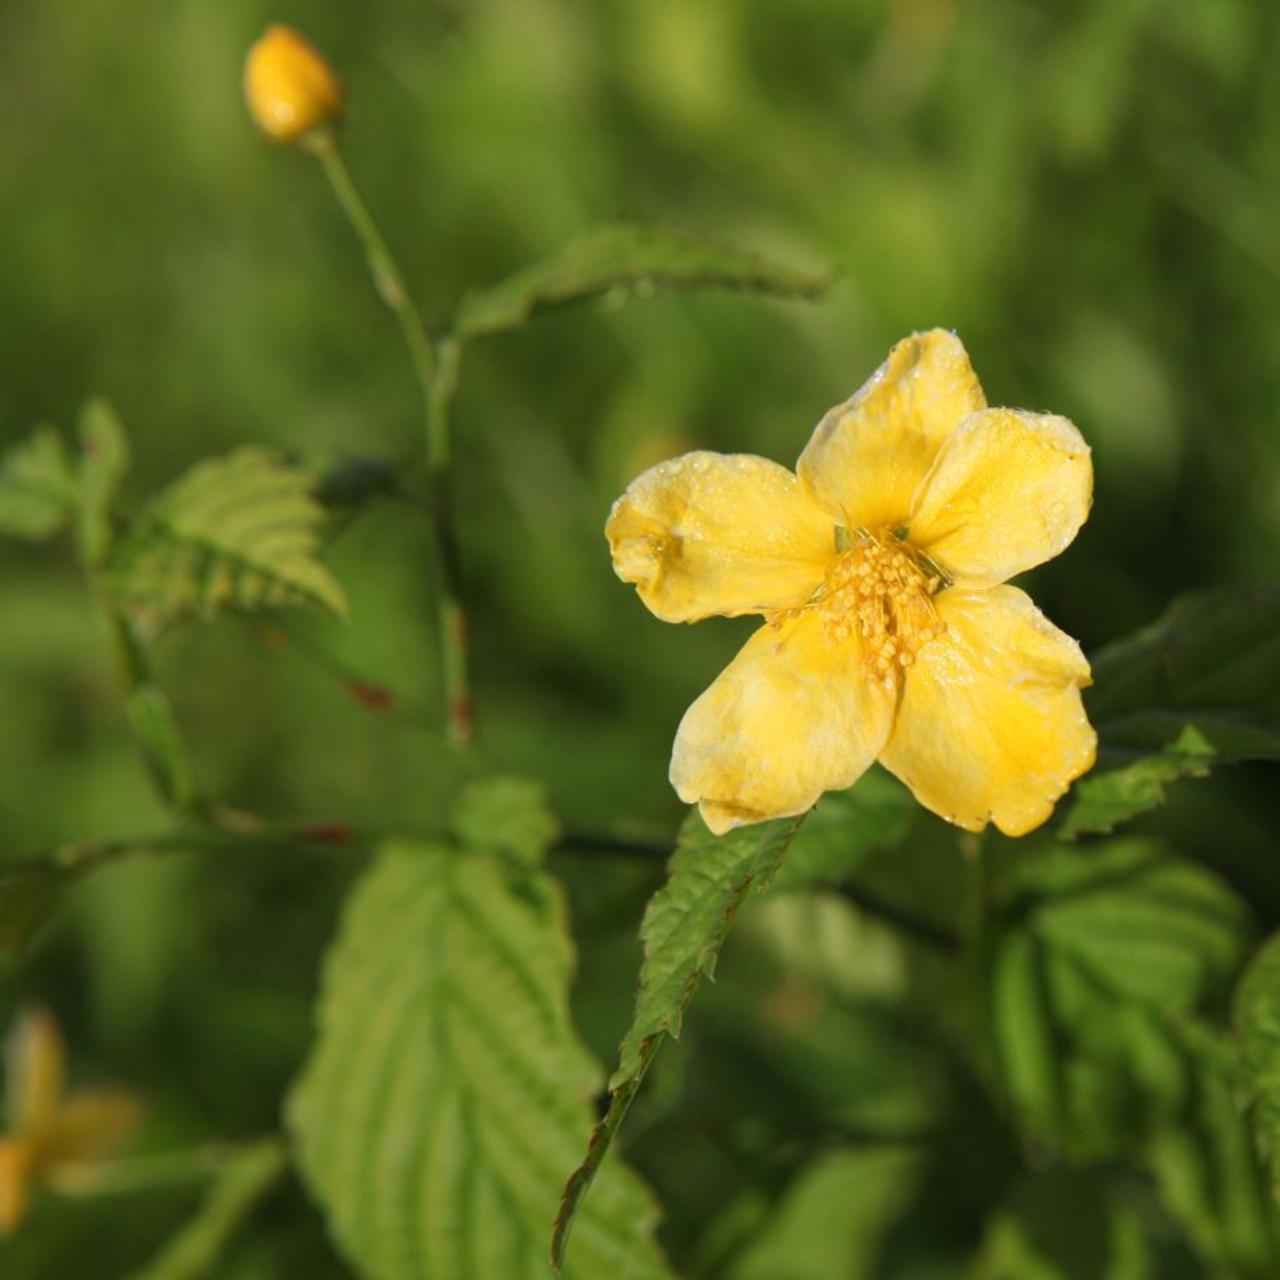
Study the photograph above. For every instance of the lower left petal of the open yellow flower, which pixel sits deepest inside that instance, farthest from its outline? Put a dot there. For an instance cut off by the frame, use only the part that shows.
(790, 717)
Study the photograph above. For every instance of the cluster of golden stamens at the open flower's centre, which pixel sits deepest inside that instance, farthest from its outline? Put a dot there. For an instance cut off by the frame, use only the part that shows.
(879, 596)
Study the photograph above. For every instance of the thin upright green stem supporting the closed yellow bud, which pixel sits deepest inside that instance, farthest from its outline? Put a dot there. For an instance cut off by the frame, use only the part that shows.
(436, 367)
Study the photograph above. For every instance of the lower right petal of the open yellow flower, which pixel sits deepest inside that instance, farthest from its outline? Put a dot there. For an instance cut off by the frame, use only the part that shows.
(991, 725)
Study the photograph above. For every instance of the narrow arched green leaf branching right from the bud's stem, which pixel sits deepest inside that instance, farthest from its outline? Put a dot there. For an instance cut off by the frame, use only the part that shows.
(625, 262)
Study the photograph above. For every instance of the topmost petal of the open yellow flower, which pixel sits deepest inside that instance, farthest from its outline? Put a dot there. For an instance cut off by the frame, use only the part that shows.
(868, 456)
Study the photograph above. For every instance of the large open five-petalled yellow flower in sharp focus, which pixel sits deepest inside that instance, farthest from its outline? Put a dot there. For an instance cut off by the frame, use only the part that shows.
(880, 569)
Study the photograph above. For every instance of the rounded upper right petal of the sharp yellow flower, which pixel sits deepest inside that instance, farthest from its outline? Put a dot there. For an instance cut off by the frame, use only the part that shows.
(1007, 492)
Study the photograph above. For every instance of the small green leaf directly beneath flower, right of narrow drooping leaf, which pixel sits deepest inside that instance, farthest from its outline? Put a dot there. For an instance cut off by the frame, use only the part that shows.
(845, 829)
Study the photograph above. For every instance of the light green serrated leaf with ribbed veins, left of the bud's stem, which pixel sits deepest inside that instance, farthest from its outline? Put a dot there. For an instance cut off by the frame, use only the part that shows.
(240, 532)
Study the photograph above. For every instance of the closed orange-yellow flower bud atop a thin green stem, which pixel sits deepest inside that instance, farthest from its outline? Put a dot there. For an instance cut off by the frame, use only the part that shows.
(291, 90)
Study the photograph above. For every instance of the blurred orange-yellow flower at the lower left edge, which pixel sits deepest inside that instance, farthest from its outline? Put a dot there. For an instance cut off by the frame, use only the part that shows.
(51, 1133)
